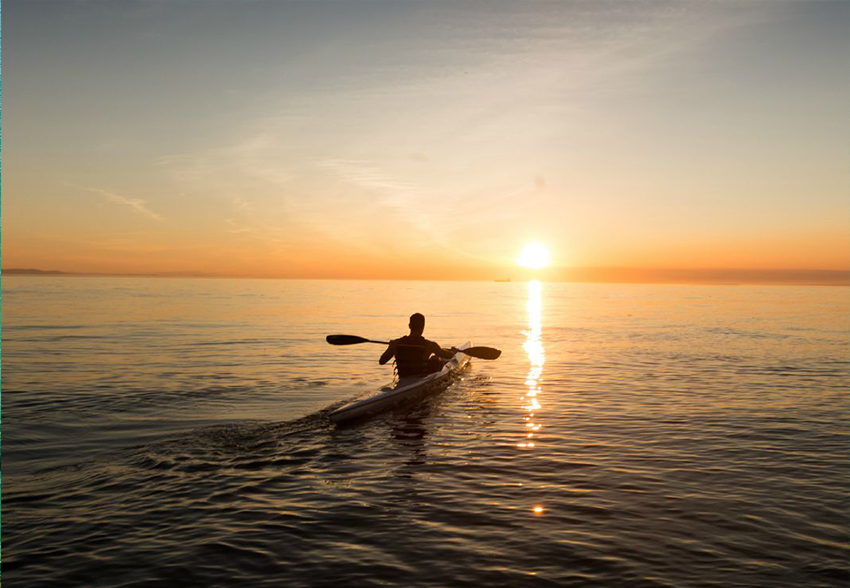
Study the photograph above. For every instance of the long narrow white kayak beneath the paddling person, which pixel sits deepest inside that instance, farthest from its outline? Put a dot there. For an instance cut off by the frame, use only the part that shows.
(403, 390)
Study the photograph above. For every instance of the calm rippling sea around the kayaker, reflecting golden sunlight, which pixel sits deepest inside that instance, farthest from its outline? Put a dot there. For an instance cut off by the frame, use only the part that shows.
(174, 432)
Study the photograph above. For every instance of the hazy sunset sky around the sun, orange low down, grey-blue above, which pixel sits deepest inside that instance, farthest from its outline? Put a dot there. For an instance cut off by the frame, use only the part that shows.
(422, 139)
